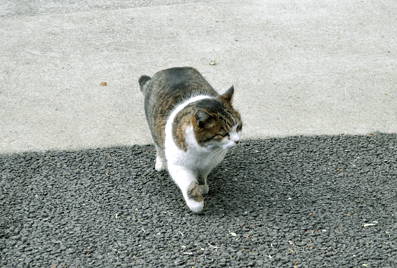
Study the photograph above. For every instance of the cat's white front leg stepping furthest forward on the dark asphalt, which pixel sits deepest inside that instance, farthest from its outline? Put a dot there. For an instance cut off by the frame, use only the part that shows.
(187, 182)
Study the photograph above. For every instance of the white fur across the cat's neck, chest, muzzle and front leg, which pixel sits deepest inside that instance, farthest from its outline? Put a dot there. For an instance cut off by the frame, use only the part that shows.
(189, 169)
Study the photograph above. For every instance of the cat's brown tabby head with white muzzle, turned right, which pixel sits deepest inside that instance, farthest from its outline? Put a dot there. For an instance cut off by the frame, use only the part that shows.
(216, 123)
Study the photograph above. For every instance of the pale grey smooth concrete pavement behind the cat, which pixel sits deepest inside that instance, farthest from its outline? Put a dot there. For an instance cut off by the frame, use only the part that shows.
(298, 67)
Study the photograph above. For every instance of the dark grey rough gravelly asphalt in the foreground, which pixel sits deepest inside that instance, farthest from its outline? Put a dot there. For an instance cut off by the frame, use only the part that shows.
(327, 201)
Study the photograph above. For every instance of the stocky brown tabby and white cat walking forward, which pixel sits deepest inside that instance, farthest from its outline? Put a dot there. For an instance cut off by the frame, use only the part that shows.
(192, 127)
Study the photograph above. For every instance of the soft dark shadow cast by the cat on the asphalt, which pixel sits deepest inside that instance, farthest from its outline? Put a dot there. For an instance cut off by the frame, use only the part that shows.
(237, 187)
